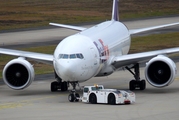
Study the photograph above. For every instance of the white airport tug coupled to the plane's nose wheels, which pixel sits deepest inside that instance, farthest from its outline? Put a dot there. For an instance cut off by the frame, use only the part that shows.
(97, 94)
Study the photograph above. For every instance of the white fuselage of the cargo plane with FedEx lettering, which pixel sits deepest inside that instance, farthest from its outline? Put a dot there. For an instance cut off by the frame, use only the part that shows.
(89, 53)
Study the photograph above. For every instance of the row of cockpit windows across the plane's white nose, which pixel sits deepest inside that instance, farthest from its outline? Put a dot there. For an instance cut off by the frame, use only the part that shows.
(71, 56)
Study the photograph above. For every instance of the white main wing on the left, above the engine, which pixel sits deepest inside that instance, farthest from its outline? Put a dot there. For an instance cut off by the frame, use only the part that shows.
(45, 58)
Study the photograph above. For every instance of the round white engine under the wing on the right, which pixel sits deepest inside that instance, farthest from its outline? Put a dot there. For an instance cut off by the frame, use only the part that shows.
(160, 71)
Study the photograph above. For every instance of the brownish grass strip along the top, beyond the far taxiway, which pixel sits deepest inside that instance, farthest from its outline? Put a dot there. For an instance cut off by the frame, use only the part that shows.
(35, 13)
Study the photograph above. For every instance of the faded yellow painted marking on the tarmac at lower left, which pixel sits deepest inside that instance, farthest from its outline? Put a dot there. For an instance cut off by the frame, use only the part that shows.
(23, 102)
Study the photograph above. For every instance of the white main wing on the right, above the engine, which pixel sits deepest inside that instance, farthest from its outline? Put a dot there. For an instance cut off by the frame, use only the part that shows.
(129, 59)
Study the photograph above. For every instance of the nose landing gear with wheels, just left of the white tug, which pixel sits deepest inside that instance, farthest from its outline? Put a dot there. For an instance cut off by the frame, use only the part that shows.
(73, 96)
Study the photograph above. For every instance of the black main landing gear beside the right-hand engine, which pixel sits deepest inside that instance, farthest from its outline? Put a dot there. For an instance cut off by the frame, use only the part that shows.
(137, 83)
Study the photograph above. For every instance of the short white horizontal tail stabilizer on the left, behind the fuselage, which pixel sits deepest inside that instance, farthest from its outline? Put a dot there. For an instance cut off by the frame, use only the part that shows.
(68, 26)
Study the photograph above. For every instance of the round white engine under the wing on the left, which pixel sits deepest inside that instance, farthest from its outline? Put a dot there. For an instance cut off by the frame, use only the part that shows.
(18, 73)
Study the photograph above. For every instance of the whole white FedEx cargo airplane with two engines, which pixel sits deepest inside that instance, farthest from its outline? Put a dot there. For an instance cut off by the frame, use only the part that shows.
(94, 52)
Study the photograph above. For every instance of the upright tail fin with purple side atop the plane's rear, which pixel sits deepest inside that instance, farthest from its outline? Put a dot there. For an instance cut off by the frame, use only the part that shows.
(115, 11)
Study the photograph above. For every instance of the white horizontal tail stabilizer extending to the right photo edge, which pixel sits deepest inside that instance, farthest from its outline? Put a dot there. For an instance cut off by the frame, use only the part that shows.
(135, 31)
